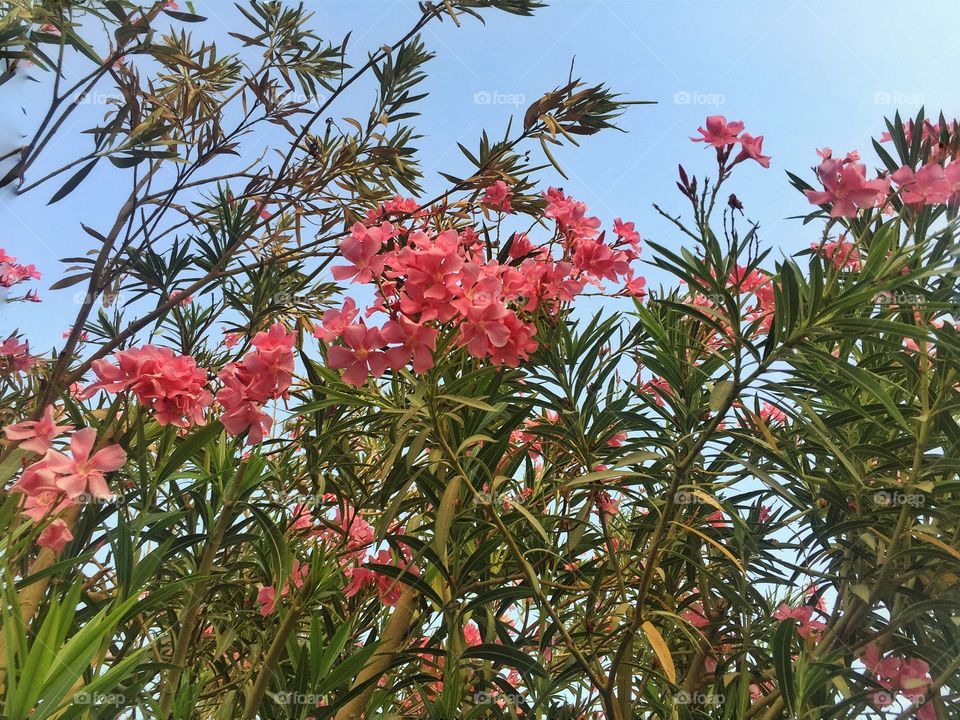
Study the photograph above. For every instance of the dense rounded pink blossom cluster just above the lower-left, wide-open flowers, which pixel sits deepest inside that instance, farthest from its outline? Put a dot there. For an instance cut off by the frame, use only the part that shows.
(170, 385)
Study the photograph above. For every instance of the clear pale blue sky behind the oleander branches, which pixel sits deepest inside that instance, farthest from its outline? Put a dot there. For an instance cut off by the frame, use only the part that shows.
(803, 73)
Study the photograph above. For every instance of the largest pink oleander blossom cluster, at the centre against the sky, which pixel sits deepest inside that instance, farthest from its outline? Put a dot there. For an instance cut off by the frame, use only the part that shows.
(427, 281)
